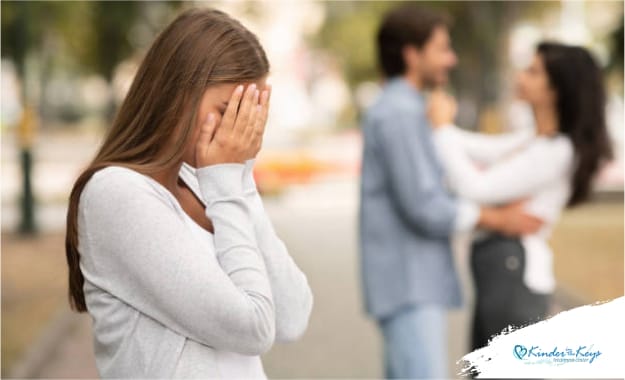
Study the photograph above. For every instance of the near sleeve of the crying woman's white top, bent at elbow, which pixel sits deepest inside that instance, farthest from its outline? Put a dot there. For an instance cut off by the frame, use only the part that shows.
(143, 253)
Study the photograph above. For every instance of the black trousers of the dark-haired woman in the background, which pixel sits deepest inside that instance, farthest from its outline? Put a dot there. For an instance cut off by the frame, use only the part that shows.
(502, 298)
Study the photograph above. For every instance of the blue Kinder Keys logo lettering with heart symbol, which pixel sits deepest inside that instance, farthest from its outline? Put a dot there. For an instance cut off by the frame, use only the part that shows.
(555, 355)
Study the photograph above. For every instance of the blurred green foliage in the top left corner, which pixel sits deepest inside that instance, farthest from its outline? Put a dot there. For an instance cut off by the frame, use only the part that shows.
(90, 36)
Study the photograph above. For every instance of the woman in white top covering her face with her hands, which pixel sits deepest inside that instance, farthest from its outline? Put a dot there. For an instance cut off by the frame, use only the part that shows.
(168, 245)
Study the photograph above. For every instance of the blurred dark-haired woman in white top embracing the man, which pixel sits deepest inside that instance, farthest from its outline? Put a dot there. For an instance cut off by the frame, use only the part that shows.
(550, 167)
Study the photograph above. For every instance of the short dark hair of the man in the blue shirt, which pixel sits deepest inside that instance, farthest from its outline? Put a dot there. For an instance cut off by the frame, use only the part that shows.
(405, 25)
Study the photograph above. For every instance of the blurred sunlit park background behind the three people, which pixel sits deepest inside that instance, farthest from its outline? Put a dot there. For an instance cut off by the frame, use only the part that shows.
(66, 66)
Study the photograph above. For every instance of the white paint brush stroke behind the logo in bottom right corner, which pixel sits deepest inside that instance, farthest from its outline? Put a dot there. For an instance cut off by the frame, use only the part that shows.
(598, 327)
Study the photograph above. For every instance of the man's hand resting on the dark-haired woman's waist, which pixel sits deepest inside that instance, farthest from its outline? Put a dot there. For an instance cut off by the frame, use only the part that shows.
(510, 219)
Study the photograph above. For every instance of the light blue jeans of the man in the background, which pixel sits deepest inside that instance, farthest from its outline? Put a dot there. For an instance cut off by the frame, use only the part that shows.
(415, 342)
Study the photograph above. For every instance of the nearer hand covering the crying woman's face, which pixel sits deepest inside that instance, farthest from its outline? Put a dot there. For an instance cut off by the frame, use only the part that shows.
(239, 135)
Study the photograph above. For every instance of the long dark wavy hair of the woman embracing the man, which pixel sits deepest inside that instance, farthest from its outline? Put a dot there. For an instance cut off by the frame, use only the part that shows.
(578, 82)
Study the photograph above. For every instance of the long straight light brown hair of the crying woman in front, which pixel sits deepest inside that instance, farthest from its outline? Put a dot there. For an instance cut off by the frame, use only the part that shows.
(200, 48)
